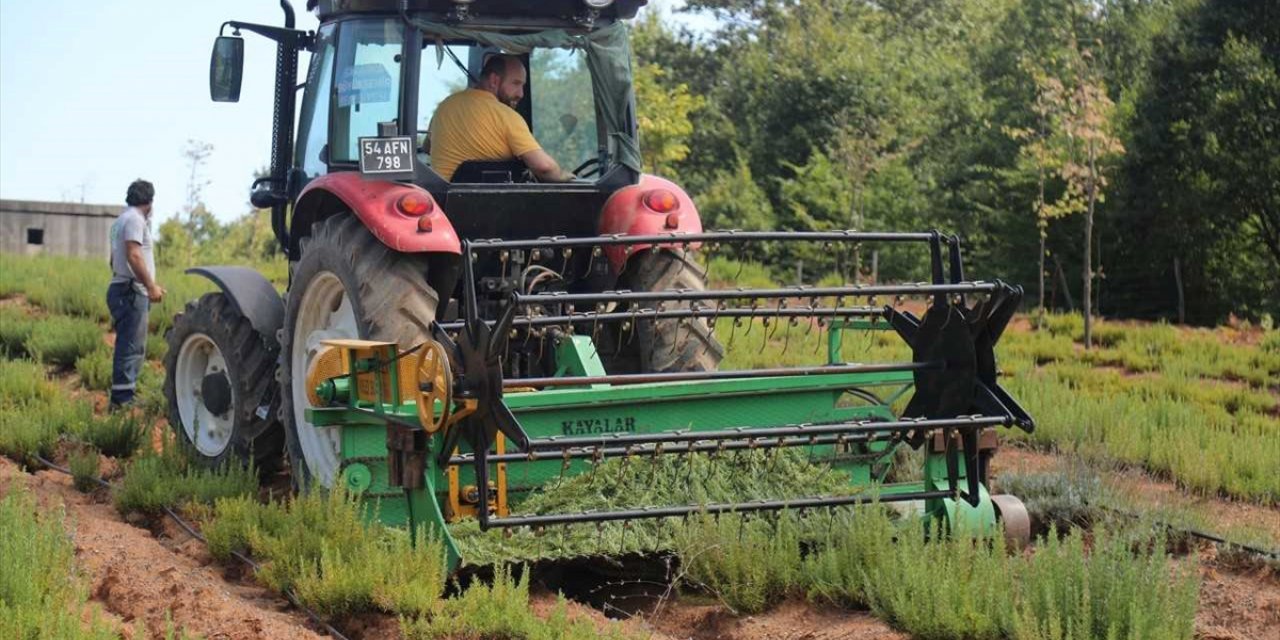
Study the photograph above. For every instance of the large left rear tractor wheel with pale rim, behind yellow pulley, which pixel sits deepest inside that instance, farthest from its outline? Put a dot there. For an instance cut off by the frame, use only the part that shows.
(348, 285)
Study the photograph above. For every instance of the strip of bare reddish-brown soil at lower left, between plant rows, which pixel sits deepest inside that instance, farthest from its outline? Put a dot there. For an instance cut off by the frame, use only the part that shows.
(143, 582)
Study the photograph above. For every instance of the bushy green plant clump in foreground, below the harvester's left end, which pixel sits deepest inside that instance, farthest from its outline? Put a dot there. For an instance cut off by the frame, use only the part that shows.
(322, 547)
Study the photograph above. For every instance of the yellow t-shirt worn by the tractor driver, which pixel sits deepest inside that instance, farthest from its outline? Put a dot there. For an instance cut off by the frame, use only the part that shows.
(473, 125)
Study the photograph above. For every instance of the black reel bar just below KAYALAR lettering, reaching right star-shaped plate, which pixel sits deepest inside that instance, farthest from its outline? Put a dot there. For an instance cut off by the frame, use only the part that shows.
(766, 432)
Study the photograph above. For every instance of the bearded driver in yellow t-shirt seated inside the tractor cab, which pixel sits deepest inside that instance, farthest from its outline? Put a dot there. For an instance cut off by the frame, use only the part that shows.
(482, 124)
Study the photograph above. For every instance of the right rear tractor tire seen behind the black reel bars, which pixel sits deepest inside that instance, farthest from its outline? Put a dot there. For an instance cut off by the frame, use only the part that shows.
(674, 345)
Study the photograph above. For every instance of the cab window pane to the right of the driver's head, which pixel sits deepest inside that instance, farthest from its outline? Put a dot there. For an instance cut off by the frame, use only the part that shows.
(564, 107)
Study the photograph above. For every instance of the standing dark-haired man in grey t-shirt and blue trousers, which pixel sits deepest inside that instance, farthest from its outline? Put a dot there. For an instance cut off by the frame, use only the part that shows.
(132, 290)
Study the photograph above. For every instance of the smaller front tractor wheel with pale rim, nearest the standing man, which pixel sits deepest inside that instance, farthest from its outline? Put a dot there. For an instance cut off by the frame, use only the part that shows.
(218, 371)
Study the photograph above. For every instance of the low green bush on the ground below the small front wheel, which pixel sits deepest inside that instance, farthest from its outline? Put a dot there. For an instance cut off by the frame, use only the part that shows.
(168, 479)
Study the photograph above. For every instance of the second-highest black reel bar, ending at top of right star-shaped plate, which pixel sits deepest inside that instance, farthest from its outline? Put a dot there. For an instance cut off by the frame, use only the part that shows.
(789, 292)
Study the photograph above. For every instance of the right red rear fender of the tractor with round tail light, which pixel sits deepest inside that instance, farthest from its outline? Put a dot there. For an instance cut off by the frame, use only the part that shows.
(638, 211)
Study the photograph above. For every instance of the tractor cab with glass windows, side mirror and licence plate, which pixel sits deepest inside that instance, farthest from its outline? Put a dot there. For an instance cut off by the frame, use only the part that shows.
(378, 72)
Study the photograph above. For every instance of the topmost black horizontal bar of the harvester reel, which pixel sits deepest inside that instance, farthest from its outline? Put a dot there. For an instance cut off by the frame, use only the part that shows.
(688, 239)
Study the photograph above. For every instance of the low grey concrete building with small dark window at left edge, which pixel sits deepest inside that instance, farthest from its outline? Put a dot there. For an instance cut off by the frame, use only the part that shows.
(61, 228)
